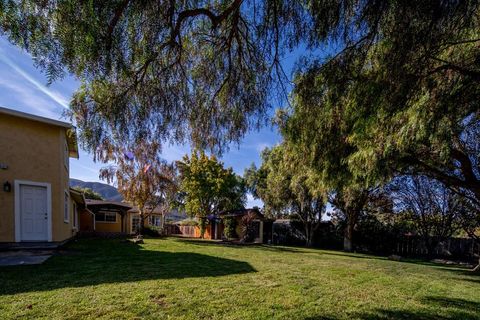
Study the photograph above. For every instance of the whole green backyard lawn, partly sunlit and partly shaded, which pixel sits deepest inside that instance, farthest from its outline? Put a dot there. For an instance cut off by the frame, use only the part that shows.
(189, 279)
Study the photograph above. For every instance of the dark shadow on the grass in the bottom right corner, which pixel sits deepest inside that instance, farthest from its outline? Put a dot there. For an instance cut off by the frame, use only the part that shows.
(434, 308)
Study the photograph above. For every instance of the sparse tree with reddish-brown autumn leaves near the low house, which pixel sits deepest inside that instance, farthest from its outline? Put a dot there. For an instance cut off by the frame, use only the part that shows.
(142, 177)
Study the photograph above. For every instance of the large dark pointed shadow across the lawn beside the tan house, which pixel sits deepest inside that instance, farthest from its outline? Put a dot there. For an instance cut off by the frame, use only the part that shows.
(94, 262)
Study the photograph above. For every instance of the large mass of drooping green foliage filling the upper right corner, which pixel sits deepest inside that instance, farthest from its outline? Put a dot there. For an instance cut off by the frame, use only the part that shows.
(400, 97)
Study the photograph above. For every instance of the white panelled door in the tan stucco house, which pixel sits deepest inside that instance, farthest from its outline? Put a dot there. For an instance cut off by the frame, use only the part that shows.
(33, 213)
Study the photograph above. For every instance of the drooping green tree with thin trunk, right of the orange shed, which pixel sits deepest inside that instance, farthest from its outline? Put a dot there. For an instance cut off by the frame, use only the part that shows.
(287, 187)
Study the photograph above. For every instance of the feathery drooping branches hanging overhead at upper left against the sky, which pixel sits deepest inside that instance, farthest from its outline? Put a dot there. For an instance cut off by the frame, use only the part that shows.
(159, 70)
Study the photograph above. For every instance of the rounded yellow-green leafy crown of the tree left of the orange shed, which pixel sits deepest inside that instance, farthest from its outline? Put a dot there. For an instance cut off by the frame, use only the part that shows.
(208, 187)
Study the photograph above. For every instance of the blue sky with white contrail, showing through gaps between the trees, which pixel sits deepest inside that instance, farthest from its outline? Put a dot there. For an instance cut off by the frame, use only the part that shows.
(23, 87)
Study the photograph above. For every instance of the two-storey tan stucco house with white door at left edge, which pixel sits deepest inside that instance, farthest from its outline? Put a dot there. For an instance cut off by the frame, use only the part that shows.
(36, 202)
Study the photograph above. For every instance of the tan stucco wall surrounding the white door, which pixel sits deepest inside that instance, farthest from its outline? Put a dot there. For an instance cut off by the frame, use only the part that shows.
(33, 151)
